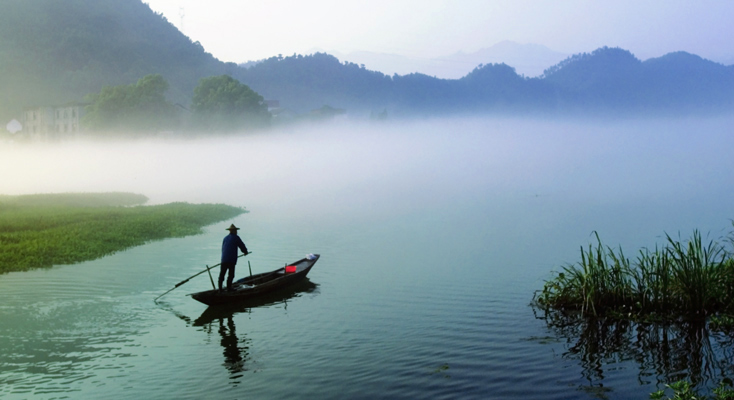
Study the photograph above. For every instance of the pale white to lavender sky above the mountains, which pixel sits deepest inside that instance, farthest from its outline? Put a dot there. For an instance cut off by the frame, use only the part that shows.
(244, 30)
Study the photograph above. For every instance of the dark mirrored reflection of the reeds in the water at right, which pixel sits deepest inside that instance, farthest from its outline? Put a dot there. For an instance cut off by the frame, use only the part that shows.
(665, 353)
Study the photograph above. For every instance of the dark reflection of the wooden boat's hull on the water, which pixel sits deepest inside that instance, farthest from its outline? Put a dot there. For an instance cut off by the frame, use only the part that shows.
(282, 296)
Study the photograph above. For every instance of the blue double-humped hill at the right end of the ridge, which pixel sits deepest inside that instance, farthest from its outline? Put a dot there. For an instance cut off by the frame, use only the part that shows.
(614, 79)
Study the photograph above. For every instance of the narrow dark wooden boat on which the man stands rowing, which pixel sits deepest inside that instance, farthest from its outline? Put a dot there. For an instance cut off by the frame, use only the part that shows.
(259, 284)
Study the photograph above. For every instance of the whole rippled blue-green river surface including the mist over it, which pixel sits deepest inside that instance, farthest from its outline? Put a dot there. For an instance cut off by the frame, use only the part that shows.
(434, 234)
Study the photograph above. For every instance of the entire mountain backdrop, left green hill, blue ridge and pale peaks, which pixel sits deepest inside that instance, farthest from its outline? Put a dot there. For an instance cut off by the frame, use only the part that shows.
(55, 52)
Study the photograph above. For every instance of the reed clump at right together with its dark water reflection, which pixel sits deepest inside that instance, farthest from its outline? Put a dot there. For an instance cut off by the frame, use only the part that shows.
(657, 308)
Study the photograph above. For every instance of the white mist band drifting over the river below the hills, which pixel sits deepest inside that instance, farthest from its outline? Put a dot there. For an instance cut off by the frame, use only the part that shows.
(377, 169)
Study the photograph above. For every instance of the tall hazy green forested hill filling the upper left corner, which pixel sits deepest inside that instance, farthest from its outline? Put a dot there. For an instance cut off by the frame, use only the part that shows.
(53, 52)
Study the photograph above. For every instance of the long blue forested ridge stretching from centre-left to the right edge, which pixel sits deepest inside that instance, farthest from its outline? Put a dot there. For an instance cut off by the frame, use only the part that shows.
(606, 80)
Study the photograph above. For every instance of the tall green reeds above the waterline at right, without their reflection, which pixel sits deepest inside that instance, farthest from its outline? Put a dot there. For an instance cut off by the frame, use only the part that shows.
(681, 280)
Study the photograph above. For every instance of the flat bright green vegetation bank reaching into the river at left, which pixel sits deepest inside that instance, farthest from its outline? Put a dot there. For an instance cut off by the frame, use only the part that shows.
(39, 231)
